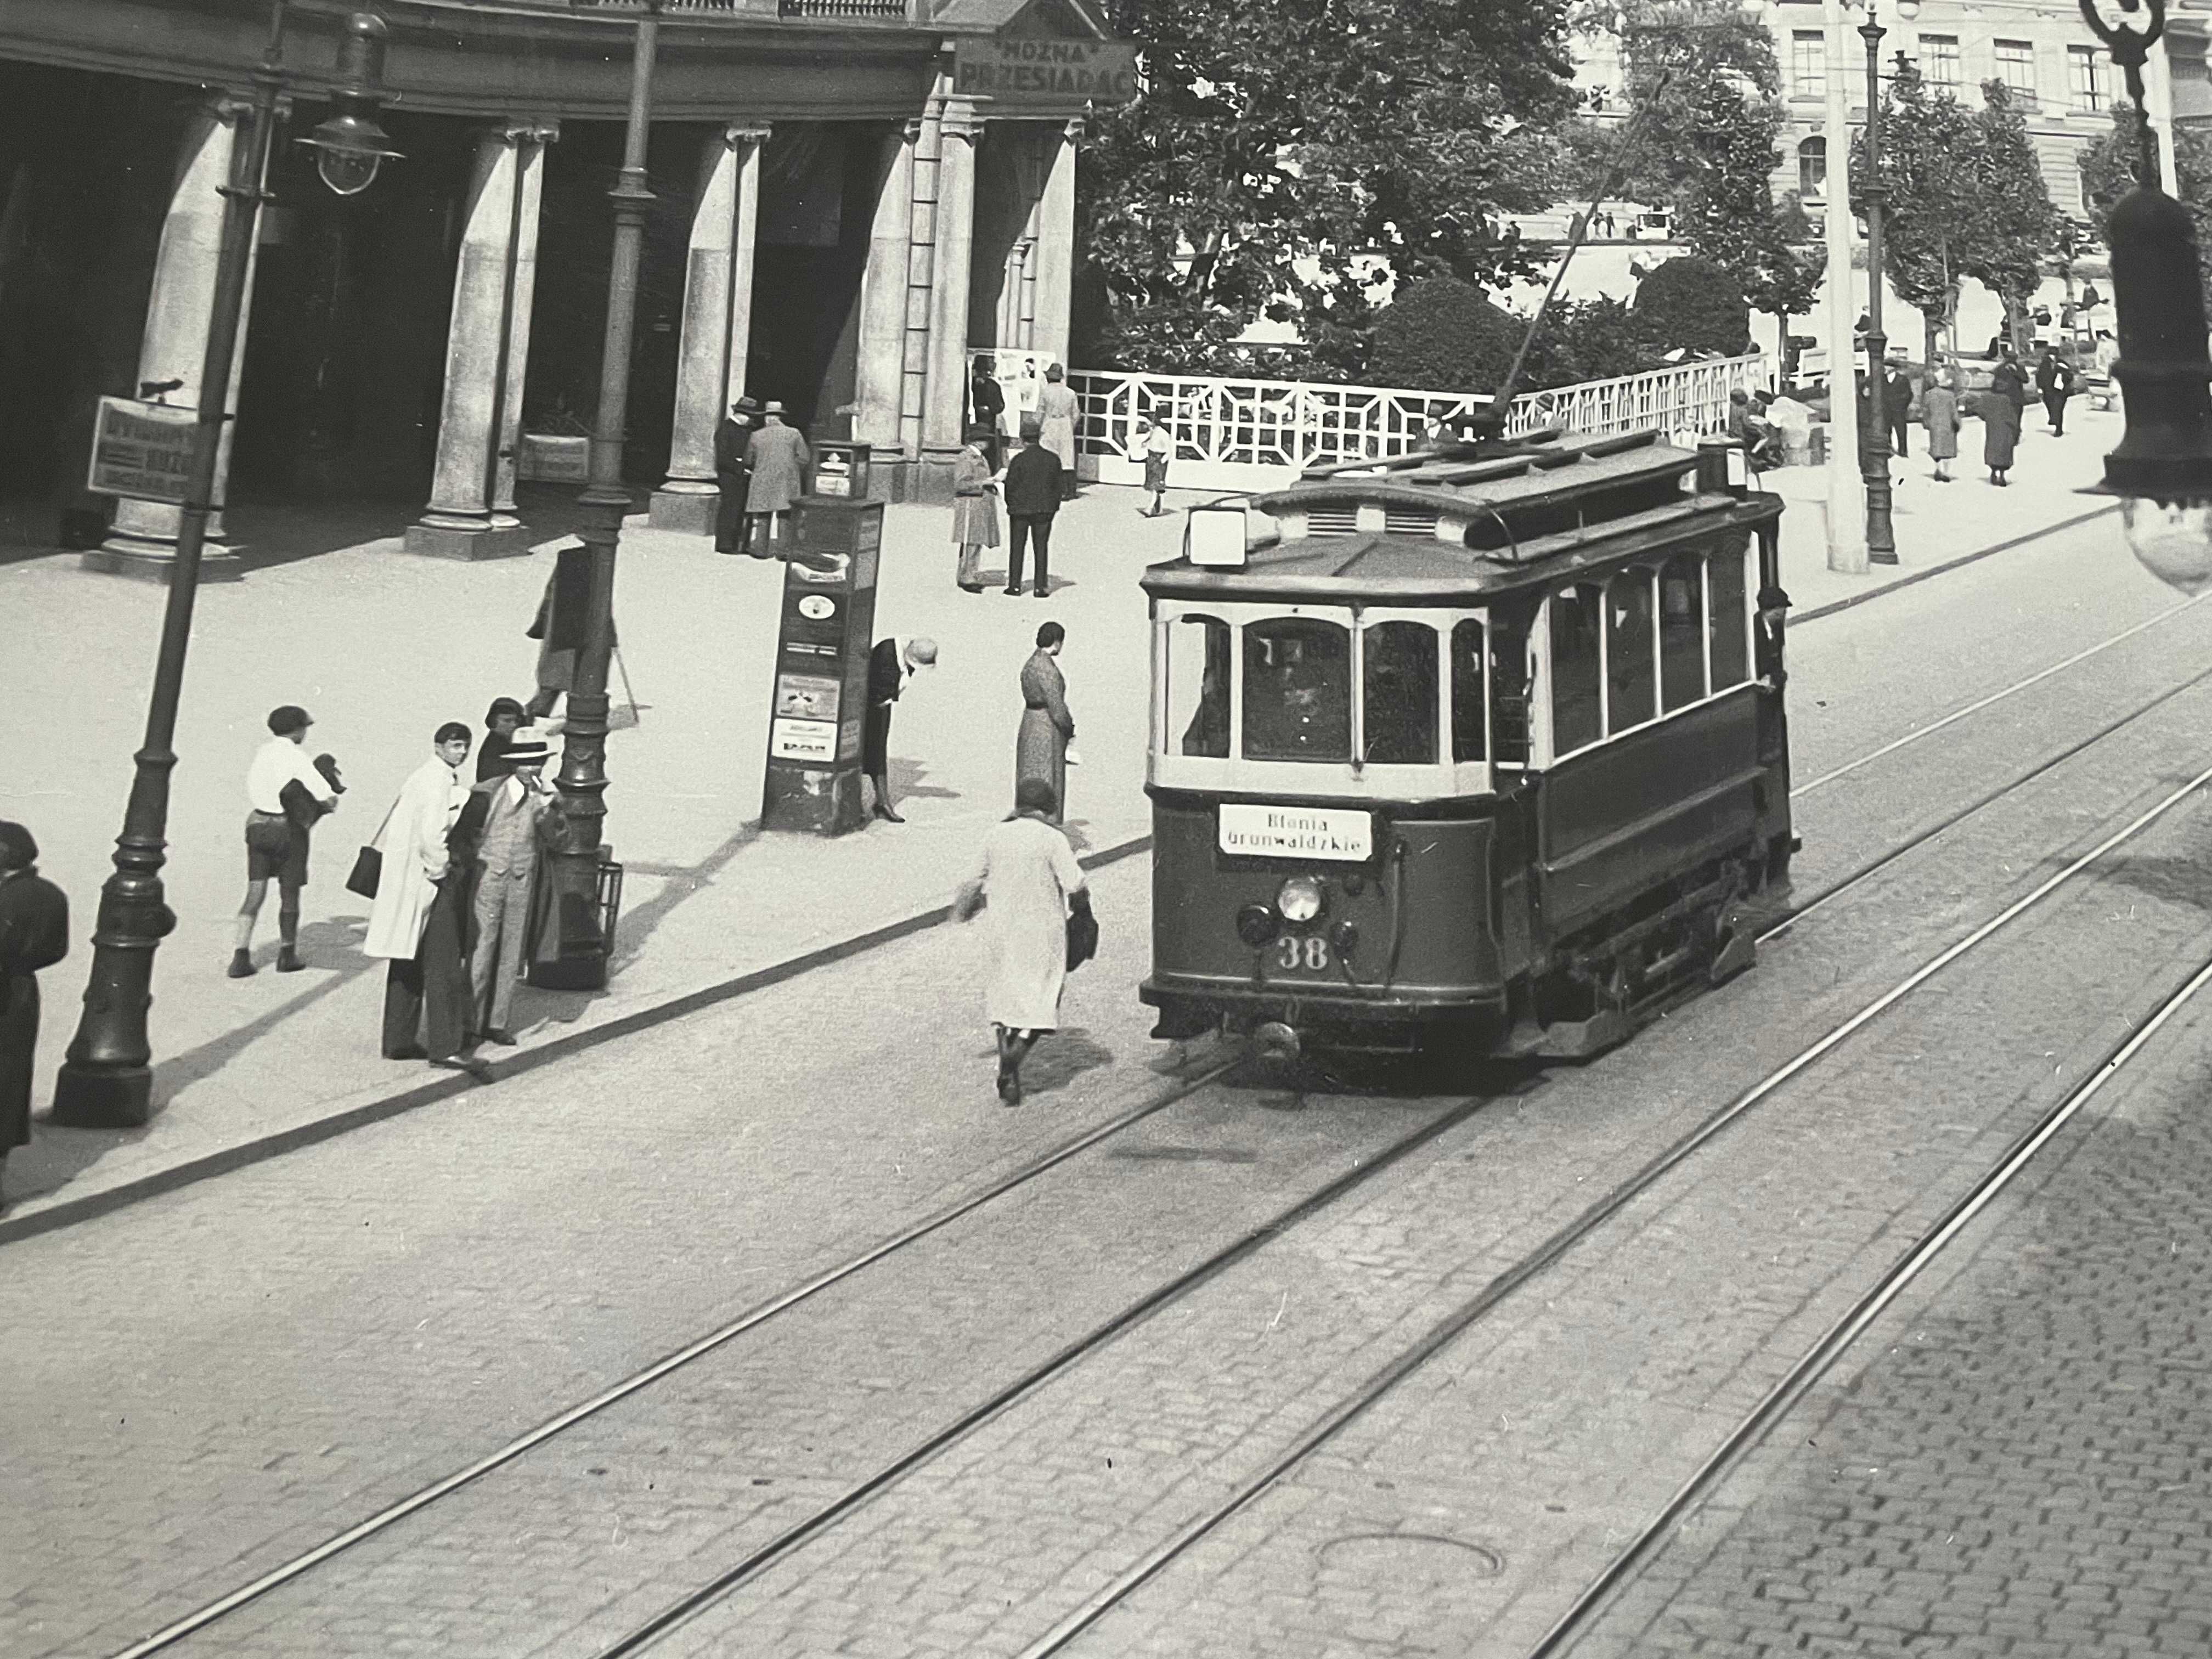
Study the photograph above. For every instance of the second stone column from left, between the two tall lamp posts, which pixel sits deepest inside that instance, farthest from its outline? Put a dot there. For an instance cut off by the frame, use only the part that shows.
(472, 505)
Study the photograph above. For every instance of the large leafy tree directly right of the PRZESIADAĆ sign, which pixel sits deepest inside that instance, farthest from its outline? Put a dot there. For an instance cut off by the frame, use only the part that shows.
(1291, 158)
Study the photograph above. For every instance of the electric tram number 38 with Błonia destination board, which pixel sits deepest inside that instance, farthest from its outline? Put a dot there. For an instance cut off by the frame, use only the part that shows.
(1481, 749)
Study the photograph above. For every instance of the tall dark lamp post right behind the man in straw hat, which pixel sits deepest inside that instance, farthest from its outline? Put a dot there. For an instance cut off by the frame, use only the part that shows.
(574, 864)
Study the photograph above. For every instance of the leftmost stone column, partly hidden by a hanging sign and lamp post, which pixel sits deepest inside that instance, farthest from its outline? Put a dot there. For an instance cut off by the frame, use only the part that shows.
(176, 344)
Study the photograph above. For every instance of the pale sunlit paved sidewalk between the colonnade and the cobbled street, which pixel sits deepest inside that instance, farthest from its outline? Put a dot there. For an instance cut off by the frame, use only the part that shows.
(384, 647)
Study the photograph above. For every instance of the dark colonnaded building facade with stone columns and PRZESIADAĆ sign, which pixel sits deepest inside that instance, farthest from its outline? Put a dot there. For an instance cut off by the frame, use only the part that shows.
(839, 218)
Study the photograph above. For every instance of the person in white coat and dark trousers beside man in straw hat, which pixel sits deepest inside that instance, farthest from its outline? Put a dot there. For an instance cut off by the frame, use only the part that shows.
(419, 919)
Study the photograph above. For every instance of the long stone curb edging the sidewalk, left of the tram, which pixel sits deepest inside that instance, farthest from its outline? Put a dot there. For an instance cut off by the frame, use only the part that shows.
(324, 1129)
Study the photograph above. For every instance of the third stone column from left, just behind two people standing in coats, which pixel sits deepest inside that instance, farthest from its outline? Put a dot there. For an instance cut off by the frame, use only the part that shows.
(718, 324)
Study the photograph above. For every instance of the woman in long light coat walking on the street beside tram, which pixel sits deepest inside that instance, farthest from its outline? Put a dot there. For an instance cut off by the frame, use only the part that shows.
(1027, 879)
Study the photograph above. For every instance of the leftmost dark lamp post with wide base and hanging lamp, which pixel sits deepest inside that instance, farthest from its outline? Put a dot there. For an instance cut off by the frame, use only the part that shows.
(107, 1076)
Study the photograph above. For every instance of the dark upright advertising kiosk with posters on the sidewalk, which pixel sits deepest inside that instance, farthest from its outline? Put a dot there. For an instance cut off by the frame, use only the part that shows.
(822, 667)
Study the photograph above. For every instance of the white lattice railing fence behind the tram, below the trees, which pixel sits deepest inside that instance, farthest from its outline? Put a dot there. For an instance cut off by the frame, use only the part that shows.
(1260, 435)
